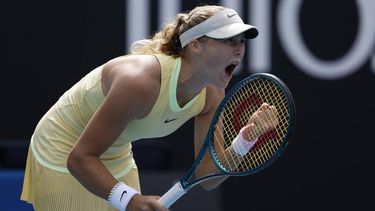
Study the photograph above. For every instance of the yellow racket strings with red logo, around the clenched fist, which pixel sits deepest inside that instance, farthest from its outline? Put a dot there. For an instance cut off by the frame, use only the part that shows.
(236, 114)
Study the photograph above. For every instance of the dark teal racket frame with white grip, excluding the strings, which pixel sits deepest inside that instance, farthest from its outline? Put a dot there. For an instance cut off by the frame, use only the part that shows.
(185, 183)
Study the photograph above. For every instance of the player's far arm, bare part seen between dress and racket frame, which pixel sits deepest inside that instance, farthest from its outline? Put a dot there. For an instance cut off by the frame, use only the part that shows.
(202, 122)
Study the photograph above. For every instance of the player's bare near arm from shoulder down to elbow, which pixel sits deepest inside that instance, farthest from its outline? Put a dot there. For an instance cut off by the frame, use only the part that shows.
(131, 92)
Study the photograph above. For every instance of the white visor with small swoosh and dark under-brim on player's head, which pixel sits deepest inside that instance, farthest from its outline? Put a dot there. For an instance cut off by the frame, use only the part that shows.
(222, 25)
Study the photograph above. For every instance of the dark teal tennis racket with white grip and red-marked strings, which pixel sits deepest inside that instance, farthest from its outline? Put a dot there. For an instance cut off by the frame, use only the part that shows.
(233, 113)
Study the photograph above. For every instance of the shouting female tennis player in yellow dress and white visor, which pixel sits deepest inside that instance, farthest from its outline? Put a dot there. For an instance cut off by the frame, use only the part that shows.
(80, 154)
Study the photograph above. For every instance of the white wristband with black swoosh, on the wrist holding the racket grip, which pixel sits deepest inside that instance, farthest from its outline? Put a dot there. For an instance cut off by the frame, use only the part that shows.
(121, 195)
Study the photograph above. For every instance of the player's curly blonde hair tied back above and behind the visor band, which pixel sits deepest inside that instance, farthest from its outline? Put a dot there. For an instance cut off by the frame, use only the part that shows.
(167, 40)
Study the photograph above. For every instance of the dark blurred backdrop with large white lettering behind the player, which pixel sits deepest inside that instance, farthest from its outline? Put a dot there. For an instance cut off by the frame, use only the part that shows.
(323, 50)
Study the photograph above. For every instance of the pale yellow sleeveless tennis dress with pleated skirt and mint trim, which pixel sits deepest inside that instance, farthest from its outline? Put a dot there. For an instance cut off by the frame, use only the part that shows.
(48, 185)
